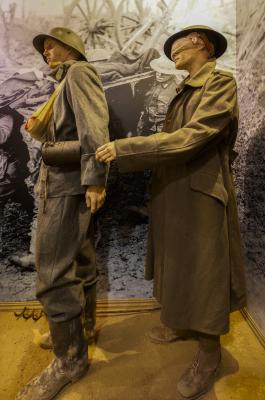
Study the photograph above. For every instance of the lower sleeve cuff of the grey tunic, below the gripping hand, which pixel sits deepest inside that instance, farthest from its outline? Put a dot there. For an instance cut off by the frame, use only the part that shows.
(93, 172)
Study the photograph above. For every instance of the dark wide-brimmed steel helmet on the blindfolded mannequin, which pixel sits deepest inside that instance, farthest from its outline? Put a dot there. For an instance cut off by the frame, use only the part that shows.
(216, 38)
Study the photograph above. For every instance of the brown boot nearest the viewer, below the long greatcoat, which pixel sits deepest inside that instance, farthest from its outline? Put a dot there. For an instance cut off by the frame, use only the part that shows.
(201, 374)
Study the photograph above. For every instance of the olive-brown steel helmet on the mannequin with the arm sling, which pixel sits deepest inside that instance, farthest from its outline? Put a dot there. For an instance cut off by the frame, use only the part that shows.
(63, 35)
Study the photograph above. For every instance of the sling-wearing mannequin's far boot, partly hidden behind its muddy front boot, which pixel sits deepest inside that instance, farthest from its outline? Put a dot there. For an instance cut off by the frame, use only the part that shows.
(89, 320)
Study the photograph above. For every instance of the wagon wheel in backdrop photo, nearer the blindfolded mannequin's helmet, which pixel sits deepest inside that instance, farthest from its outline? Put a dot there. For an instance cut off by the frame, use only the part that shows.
(138, 26)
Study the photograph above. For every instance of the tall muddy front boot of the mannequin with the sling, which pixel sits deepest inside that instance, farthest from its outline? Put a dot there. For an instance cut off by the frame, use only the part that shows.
(68, 366)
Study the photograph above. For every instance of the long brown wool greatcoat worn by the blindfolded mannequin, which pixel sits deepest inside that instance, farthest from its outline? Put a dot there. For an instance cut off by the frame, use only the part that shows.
(194, 250)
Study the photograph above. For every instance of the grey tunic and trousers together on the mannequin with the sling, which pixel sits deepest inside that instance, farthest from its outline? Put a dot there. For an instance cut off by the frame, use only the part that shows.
(65, 258)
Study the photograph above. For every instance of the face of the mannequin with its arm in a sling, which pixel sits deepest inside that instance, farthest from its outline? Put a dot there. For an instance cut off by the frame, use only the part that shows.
(55, 52)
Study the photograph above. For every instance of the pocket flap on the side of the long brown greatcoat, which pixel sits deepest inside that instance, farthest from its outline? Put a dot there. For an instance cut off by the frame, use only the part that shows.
(209, 184)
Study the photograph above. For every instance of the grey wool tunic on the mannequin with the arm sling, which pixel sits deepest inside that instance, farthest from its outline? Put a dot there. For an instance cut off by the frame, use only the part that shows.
(80, 112)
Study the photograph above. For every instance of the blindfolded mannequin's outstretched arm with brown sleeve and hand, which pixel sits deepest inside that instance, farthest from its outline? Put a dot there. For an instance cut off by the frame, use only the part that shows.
(208, 123)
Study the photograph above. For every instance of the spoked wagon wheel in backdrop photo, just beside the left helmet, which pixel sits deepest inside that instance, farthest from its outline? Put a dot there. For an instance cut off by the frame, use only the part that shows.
(94, 20)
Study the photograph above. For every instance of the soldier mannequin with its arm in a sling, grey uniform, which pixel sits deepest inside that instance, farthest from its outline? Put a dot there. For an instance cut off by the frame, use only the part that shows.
(70, 191)
